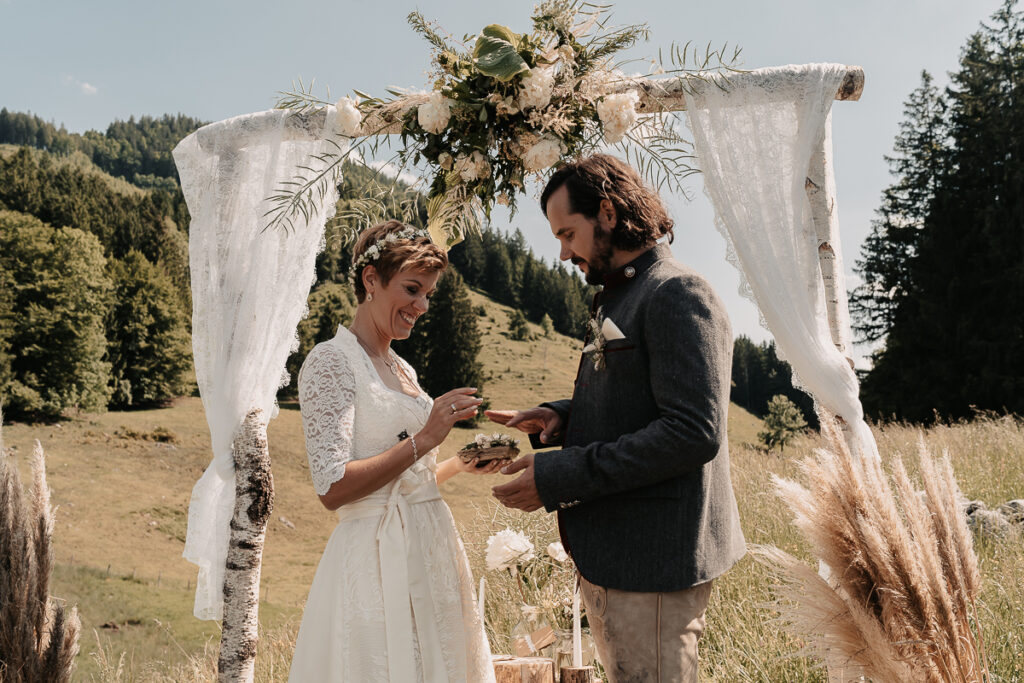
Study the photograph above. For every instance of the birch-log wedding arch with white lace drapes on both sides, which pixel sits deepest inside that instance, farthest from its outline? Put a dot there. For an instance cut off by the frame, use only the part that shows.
(763, 143)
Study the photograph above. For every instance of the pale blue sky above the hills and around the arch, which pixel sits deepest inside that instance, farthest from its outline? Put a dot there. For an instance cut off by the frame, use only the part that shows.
(86, 64)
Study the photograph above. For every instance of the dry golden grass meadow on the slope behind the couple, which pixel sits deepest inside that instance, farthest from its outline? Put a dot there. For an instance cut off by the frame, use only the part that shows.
(122, 483)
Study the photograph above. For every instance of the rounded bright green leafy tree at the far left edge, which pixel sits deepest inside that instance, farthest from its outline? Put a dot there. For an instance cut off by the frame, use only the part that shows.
(56, 334)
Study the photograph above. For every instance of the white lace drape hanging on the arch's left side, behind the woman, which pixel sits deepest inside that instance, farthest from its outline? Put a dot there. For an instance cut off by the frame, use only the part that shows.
(249, 293)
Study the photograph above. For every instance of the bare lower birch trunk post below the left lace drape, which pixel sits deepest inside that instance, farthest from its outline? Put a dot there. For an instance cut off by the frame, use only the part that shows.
(253, 503)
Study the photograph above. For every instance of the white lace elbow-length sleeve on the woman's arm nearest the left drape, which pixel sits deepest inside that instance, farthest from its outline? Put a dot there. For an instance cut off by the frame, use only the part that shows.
(327, 400)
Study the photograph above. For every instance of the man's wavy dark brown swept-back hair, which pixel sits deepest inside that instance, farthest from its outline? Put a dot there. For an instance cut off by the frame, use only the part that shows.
(643, 217)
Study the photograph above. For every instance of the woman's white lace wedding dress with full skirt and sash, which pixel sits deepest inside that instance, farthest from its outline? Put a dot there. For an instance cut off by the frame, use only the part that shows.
(393, 600)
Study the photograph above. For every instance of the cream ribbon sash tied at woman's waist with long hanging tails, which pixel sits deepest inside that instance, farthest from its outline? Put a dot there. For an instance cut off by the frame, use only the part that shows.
(405, 584)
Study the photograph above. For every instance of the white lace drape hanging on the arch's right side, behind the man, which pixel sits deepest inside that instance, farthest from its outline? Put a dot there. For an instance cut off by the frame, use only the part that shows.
(755, 139)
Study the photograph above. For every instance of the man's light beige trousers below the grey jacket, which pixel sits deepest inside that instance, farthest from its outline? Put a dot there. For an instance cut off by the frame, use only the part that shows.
(650, 637)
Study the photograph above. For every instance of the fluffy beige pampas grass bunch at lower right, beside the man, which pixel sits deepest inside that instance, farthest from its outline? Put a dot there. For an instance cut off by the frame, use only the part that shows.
(900, 602)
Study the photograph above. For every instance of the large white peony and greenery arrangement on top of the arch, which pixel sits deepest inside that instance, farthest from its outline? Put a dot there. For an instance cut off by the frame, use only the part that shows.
(505, 108)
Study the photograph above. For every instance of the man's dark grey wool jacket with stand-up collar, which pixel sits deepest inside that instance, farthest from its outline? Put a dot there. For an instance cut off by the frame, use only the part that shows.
(642, 481)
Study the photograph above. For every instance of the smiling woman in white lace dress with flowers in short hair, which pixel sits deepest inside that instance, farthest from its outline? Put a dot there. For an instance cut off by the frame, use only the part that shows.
(393, 600)
